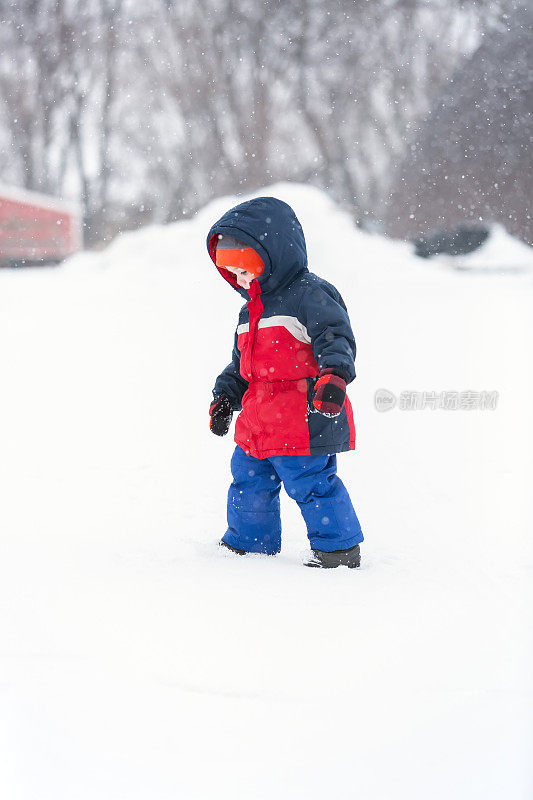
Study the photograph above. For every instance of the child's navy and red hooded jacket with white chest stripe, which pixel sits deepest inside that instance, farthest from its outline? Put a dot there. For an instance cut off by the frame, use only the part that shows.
(293, 325)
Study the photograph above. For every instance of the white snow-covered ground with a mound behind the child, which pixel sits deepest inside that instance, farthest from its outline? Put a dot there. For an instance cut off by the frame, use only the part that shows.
(137, 661)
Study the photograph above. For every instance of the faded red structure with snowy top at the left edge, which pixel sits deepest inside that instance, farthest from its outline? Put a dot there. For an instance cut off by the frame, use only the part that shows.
(36, 228)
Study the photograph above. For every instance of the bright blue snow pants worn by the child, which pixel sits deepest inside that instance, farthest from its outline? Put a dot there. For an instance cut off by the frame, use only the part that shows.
(254, 522)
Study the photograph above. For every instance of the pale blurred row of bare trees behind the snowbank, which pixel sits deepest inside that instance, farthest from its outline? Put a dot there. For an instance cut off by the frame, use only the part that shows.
(145, 110)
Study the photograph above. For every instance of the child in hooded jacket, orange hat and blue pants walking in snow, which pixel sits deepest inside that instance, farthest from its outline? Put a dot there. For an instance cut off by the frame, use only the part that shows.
(293, 355)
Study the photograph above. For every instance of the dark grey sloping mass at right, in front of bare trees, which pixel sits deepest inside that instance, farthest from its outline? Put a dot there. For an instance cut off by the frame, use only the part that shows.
(470, 157)
